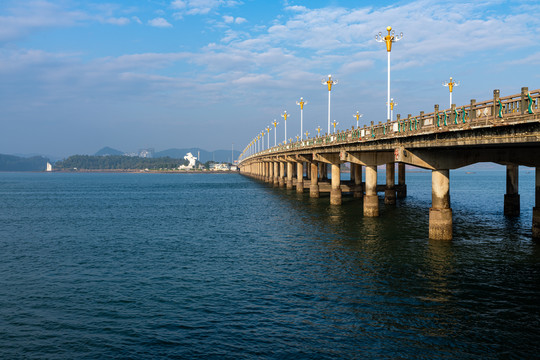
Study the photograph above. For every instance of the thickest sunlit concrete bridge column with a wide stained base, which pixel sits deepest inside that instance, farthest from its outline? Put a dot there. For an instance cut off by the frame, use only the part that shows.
(440, 213)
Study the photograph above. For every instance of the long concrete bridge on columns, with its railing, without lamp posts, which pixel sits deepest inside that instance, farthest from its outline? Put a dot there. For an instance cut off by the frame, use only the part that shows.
(502, 130)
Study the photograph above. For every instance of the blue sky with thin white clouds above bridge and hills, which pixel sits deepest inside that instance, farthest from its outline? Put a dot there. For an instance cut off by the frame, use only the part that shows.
(76, 75)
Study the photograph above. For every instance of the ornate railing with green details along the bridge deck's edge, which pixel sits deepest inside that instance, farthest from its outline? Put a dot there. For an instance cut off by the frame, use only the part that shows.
(497, 111)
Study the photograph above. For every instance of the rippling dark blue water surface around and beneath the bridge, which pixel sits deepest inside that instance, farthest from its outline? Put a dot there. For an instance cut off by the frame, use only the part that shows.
(220, 266)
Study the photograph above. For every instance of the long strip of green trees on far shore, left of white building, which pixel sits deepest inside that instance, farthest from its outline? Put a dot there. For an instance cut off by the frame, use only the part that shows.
(118, 162)
